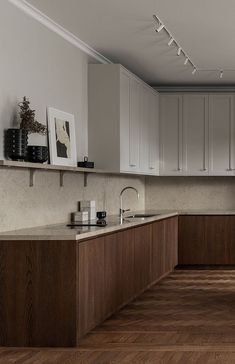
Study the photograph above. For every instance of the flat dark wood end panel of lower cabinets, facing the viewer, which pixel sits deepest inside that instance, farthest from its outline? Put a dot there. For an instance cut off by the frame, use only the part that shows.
(37, 293)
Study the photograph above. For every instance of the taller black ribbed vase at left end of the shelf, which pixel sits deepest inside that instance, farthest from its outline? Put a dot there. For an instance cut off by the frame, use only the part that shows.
(16, 143)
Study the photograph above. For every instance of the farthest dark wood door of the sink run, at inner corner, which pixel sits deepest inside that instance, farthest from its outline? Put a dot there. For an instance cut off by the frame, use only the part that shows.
(171, 243)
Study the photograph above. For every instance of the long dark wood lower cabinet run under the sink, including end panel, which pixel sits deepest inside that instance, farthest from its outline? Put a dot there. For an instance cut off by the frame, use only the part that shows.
(54, 292)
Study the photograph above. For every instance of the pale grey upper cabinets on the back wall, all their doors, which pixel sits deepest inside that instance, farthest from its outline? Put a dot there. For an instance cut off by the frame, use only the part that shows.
(197, 134)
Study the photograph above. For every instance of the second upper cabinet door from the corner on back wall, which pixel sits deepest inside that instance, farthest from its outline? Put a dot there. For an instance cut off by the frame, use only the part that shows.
(195, 134)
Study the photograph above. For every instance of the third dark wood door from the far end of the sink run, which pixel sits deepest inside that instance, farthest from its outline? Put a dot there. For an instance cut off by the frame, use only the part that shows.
(142, 257)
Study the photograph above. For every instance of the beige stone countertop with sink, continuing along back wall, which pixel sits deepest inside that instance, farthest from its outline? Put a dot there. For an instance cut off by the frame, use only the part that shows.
(63, 232)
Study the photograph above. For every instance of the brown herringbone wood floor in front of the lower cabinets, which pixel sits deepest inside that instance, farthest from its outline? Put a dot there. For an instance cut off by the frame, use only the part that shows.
(189, 317)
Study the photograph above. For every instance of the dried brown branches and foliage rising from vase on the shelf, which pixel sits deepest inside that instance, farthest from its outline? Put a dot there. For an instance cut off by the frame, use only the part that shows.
(28, 121)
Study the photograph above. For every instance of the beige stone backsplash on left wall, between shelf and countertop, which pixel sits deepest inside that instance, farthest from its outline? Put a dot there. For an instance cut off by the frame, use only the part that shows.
(47, 203)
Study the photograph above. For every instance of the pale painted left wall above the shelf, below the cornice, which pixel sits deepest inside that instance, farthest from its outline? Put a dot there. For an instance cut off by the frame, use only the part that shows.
(37, 63)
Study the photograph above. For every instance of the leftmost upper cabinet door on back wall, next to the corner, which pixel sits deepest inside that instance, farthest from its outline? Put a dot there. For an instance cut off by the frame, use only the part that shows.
(171, 135)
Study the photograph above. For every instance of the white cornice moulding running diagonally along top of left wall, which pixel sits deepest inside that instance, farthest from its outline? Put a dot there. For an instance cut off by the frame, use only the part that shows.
(58, 29)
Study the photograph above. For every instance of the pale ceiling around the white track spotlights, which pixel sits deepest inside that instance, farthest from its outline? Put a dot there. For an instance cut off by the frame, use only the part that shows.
(123, 31)
